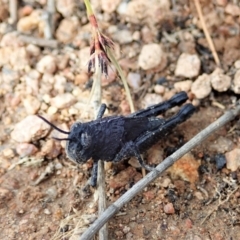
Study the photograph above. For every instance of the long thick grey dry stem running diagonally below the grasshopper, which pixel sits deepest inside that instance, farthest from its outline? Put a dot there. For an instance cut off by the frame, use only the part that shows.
(139, 186)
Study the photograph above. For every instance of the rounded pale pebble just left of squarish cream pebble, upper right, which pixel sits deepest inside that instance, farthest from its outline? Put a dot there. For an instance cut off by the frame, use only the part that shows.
(152, 56)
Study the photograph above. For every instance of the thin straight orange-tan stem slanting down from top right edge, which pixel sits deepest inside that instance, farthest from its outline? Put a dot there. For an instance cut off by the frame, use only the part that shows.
(205, 30)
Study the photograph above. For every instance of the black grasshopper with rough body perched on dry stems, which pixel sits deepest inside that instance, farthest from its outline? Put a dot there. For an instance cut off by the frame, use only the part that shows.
(116, 138)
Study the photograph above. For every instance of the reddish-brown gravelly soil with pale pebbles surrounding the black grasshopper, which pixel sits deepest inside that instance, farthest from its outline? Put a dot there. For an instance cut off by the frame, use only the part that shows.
(162, 50)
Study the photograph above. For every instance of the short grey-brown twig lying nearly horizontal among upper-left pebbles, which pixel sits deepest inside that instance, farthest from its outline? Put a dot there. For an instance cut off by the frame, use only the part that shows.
(38, 41)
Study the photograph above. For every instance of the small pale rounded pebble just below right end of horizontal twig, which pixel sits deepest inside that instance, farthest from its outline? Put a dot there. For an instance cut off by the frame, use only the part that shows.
(47, 64)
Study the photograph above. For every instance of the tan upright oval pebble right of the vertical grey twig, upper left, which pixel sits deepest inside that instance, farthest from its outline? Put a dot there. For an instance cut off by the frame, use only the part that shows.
(67, 30)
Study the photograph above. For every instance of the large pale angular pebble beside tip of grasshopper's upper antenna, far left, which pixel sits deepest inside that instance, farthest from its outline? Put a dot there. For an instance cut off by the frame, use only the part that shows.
(31, 128)
